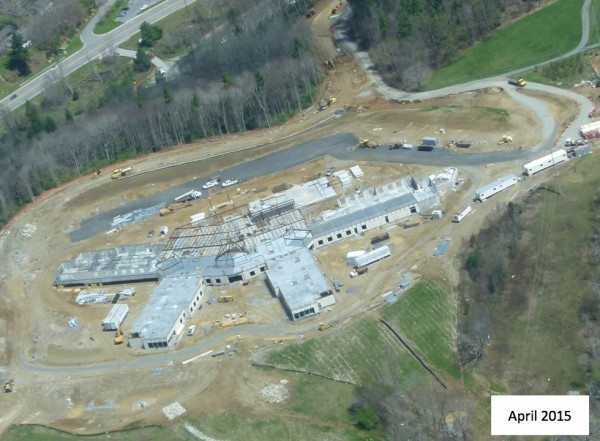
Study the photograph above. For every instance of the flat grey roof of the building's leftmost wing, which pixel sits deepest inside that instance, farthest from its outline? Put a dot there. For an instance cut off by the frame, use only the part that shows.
(125, 263)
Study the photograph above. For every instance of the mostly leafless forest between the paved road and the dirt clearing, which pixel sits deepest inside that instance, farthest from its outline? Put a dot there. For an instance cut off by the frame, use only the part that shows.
(254, 71)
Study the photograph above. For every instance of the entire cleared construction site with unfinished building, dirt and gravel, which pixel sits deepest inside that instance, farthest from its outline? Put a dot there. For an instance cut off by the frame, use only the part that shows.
(179, 266)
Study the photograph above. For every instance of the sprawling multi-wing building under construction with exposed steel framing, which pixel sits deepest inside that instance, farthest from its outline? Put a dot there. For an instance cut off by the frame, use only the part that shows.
(271, 237)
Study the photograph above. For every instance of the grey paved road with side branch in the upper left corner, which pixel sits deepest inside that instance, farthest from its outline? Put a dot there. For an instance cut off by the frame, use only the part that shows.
(94, 46)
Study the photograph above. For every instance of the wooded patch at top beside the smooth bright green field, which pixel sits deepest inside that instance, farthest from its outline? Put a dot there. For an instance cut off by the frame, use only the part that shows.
(407, 39)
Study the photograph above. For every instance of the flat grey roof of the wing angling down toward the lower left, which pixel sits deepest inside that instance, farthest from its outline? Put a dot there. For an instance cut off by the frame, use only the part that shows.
(170, 297)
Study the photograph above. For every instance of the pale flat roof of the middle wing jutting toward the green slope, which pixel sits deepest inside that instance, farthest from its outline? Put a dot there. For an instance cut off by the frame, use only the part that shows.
(298, 278)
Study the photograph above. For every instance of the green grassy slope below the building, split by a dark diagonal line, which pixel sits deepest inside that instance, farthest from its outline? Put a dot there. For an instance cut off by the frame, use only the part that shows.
(366, 350)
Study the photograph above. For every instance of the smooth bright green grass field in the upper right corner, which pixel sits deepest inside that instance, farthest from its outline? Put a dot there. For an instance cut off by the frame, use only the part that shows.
(546, 33)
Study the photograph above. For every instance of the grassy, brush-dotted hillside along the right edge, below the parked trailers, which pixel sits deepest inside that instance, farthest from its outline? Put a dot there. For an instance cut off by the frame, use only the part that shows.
(541, 323)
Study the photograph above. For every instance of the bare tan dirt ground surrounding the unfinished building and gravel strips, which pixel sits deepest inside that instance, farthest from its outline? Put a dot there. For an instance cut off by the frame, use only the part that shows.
(33, 317)
